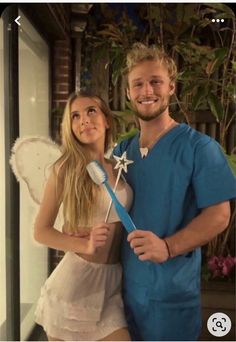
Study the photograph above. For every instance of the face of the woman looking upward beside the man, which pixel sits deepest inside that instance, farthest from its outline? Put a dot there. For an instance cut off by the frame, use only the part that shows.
(88, 122)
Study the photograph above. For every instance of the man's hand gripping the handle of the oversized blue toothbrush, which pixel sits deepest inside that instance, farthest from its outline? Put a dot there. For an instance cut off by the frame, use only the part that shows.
(148, 246)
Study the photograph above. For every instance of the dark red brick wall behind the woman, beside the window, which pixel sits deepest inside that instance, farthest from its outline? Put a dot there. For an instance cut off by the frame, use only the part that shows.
(62, 86)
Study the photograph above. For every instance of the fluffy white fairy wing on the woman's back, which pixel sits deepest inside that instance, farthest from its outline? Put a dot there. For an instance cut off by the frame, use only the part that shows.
(31, 160)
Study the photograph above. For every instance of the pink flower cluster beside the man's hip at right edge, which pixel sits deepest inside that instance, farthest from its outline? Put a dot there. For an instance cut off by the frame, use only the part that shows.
(221, 266)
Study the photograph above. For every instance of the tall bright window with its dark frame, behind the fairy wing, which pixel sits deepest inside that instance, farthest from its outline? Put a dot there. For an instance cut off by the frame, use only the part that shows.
(24, 110)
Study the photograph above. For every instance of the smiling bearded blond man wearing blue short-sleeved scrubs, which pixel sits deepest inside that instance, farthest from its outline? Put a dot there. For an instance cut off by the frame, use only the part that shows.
(182, 186)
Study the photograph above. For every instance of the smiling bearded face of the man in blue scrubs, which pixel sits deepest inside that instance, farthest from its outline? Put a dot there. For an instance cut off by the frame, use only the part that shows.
(149, 89)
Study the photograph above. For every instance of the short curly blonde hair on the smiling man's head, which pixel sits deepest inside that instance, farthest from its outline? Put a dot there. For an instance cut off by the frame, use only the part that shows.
(140, 53)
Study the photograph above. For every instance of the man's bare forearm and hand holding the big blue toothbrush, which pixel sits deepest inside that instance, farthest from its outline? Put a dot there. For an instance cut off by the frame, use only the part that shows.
(203, 228)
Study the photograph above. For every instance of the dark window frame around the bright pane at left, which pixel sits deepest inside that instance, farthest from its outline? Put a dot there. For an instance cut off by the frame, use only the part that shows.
(12, 189)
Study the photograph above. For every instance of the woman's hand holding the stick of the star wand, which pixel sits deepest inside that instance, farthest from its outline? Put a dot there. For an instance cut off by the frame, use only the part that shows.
(98, 237)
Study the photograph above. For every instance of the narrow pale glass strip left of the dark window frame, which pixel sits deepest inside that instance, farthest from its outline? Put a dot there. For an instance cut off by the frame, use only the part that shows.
(2, 198)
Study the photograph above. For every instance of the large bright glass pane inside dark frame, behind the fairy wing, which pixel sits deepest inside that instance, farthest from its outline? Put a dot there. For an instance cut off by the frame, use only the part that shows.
(34, 120)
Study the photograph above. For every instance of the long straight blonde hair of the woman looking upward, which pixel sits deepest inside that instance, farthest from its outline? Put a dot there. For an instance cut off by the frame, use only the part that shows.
(79, 193)
